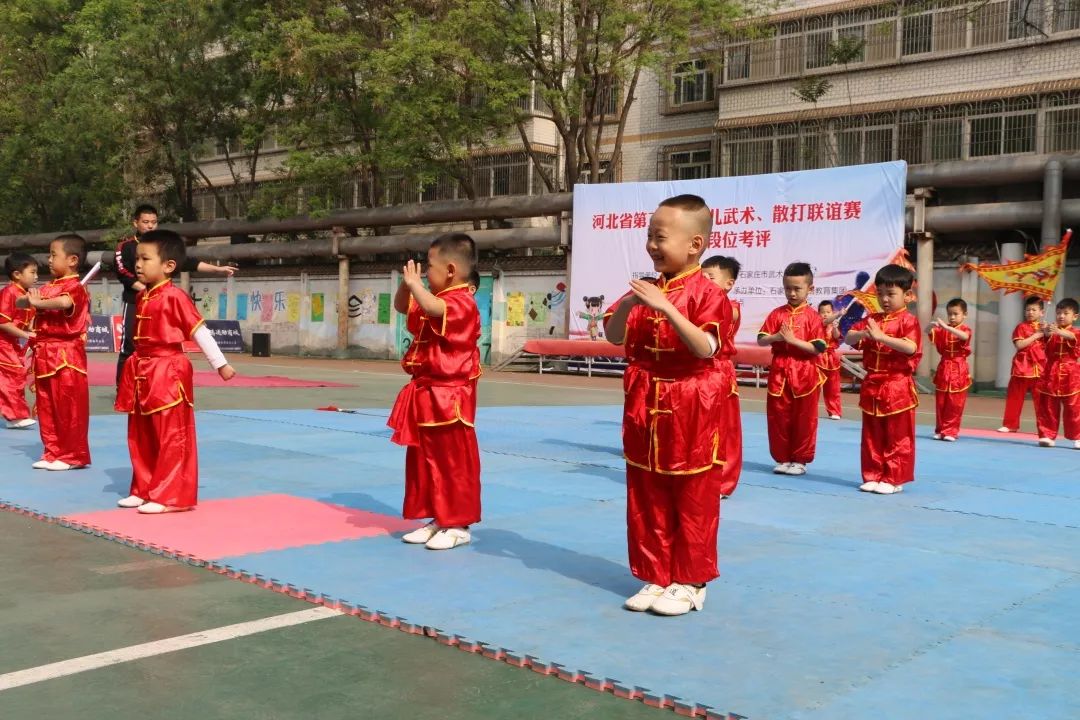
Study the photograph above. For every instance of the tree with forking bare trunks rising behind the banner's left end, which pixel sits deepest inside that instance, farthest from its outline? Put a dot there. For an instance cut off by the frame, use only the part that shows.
(588, 57)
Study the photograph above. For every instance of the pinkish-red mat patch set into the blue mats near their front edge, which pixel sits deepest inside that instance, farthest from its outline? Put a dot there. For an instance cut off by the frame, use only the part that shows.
(239, 526)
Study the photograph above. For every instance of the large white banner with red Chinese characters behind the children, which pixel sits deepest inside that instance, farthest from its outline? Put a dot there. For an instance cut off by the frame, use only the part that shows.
(845, 222)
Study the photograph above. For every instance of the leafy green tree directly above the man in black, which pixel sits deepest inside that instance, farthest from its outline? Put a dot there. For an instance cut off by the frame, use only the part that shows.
(178, 77)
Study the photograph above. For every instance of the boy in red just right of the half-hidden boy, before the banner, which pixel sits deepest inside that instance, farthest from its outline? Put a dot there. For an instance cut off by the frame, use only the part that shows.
(798, 338)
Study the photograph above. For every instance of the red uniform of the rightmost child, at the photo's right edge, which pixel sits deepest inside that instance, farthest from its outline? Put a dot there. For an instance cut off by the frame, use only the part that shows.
(1058, 395)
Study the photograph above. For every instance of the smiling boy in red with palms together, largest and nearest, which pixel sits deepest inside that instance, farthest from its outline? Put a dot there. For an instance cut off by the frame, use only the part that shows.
(672, 428)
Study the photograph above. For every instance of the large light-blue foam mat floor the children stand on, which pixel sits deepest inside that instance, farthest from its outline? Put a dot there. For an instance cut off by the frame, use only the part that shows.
(955, 600)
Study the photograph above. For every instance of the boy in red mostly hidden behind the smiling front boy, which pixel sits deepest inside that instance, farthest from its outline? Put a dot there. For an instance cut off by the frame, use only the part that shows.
(724, 271)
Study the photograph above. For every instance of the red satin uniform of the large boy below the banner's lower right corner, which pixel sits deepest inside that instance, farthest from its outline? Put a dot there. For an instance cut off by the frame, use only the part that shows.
(888, 400)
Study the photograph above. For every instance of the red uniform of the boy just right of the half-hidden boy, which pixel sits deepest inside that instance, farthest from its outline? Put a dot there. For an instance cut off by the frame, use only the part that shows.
(795, 382)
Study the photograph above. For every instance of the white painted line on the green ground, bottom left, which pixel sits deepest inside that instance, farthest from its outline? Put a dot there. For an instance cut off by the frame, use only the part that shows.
(67, 668)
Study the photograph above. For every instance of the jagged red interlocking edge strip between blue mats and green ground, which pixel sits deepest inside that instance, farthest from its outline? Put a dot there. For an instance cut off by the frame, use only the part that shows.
(584, 678)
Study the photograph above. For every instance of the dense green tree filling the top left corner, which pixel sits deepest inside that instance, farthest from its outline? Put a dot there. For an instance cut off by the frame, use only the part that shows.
(60, 157)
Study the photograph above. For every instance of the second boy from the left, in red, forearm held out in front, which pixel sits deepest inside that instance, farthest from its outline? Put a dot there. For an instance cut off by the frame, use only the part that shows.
(62, 314)
